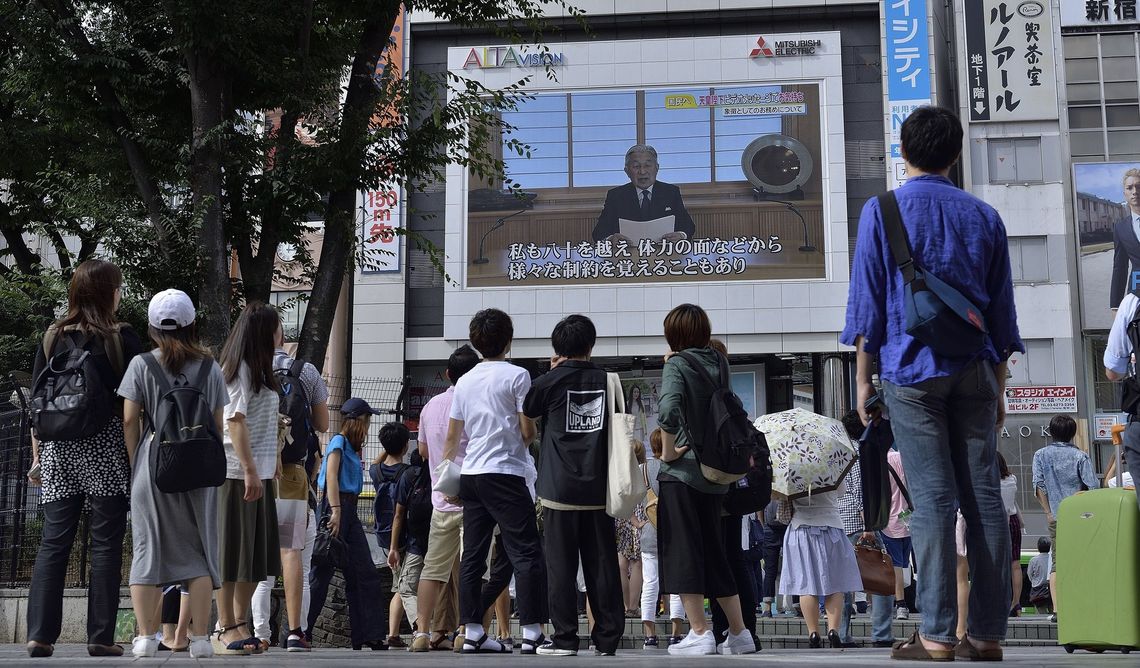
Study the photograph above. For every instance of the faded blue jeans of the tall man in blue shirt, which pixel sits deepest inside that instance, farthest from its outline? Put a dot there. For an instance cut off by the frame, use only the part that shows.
(946, 433)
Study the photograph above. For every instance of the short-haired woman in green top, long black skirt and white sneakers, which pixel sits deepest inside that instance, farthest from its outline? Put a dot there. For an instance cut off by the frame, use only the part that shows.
(690, 542)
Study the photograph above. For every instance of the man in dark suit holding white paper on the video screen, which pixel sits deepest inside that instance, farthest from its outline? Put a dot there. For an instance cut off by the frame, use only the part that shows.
(644, 199)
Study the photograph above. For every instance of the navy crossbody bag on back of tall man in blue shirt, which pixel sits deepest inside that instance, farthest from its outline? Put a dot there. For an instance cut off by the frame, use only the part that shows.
(938, 315)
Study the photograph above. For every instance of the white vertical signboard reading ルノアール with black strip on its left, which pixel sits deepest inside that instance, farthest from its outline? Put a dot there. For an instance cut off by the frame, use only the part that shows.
(1009, 56)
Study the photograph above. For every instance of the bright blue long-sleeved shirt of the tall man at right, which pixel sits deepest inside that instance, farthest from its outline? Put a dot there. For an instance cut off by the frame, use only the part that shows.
(955, 237)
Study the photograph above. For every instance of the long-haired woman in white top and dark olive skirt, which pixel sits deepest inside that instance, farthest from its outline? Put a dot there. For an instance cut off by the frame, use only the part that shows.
(248, 539)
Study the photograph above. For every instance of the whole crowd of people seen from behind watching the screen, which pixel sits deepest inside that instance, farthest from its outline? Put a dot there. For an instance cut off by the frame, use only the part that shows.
(506, 493)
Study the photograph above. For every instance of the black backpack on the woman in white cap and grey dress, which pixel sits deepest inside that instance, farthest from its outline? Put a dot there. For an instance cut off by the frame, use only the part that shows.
(188, 452)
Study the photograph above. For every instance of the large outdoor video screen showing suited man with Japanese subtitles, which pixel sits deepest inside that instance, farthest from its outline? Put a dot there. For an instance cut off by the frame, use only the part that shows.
(655, 185)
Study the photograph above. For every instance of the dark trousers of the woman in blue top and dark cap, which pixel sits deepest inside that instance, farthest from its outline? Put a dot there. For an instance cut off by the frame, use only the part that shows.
(368, 614)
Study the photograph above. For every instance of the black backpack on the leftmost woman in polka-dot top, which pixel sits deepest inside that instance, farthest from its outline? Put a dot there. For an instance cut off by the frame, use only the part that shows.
(70, 398)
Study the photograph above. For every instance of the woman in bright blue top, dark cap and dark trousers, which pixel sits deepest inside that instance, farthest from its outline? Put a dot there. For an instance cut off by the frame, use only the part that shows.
(341, 479)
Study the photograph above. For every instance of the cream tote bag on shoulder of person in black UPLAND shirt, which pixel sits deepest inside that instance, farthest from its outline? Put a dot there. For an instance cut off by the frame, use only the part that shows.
(625, 484)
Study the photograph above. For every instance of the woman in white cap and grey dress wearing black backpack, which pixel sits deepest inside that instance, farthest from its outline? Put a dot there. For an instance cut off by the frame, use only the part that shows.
(175, 535)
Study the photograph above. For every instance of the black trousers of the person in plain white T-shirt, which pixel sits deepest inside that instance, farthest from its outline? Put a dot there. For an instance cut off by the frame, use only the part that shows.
(490, 500)
